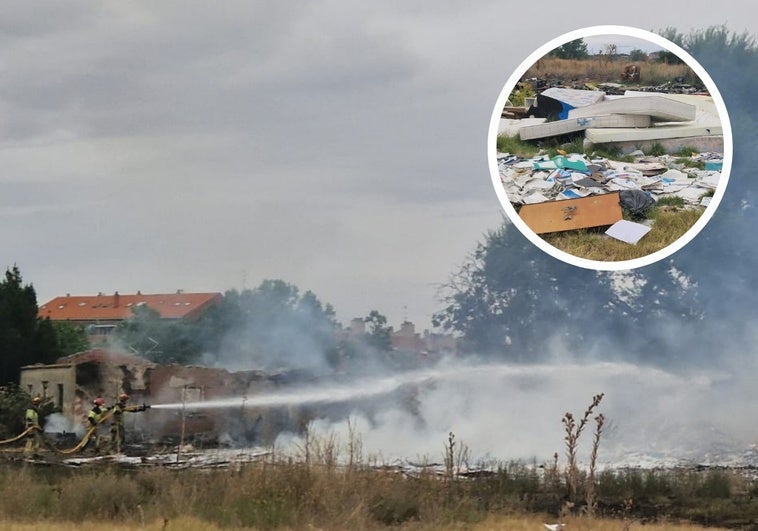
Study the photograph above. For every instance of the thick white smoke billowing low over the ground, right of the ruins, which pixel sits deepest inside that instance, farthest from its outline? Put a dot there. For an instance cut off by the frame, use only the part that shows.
(514, 412)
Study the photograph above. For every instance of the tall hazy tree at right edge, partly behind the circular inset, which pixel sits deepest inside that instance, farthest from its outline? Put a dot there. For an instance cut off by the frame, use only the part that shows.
(722, 250)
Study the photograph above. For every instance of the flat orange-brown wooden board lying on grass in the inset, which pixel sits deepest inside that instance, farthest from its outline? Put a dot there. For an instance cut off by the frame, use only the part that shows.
(570, 214)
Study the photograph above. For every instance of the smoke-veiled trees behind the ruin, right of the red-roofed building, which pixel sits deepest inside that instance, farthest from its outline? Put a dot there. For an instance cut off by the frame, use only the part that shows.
(270, 327)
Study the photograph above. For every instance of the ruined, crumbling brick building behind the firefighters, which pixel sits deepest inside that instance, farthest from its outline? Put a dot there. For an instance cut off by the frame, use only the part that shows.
(73, 382)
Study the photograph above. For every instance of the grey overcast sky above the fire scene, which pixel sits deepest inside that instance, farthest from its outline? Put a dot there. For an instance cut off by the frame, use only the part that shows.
(206, 146)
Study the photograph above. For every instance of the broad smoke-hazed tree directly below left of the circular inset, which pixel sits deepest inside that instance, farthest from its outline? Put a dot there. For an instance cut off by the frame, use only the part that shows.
(509, 298)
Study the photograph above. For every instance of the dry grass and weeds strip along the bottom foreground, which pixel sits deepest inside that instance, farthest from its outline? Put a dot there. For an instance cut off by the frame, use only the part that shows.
(284, 494)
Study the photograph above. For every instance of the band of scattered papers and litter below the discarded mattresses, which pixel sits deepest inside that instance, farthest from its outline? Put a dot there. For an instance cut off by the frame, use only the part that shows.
(571, 176)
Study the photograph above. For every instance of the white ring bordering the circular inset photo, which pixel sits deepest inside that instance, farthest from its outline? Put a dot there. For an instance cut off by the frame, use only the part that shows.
(495, 171)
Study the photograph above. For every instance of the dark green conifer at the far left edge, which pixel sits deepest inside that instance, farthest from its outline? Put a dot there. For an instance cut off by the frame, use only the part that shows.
(24, 338)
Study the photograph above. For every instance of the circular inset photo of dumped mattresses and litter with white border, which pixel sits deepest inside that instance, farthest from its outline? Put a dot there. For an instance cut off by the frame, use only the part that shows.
(610, 147)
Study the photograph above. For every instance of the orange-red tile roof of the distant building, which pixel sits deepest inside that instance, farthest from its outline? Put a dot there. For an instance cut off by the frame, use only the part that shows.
(118, 307)
